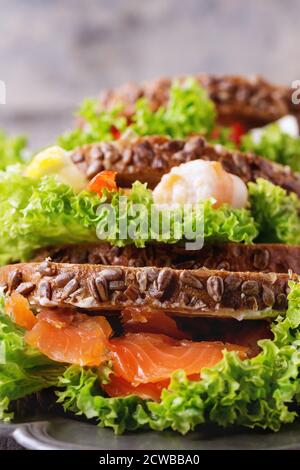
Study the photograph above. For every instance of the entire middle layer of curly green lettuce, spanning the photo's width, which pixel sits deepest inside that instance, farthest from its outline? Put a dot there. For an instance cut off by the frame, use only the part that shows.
(35, 213)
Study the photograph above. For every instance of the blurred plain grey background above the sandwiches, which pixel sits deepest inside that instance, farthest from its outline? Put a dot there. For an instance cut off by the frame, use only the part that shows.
(55, 52)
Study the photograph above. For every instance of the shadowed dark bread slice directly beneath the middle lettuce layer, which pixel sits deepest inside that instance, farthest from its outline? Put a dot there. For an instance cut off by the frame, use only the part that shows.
(229, 256)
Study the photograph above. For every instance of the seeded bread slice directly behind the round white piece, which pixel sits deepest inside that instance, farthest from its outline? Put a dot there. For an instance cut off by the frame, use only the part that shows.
(146, 159)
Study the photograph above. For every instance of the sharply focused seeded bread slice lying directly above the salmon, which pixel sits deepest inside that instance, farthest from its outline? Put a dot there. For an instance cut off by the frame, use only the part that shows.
(199, 292)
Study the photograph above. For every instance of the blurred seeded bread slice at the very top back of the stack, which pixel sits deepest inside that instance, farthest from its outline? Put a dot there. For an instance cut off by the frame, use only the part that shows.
(250, 100)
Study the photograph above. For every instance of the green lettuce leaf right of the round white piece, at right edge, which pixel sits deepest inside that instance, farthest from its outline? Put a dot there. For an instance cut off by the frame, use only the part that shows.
(276, 212)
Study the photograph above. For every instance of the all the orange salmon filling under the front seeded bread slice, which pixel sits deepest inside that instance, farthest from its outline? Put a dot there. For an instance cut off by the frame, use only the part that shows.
(143, 363)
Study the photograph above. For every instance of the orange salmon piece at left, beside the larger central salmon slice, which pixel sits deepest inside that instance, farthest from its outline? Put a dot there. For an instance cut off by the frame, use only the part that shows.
(74, 338)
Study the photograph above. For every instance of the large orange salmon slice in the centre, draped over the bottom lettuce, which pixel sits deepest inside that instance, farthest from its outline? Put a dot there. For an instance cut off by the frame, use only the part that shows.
(141, 358)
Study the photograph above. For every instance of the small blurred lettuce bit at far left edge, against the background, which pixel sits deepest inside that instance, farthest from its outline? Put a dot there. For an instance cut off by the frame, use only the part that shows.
(12, 150)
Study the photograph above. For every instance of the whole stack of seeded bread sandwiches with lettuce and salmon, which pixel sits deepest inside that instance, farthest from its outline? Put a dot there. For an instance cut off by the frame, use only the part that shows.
(159, 328)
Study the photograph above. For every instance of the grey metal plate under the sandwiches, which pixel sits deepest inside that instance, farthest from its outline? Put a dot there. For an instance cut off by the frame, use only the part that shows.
(59, 434)
